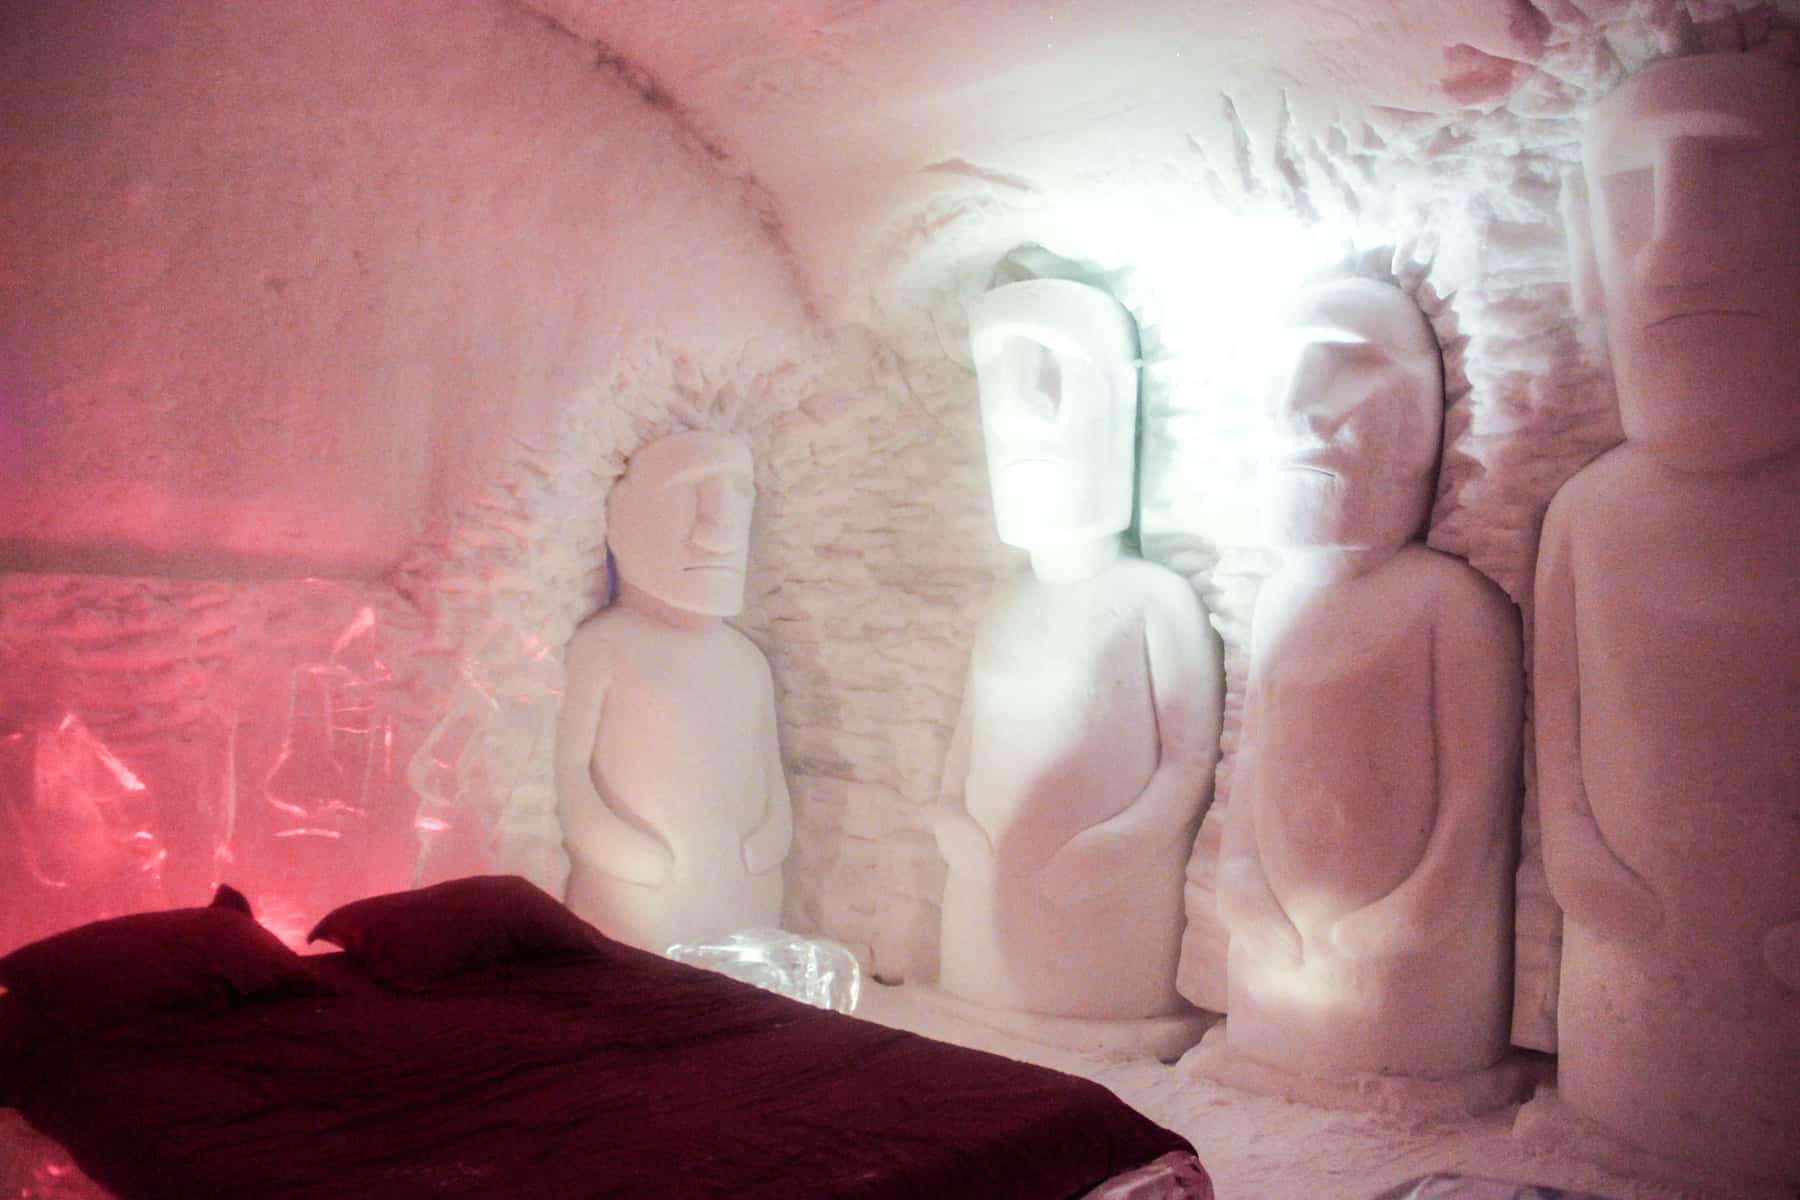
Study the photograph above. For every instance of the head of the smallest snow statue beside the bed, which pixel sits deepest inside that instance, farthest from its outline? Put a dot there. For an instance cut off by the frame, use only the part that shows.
(679, 521)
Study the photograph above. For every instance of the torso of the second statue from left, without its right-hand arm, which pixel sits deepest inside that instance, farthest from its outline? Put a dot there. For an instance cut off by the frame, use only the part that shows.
(1063, 728)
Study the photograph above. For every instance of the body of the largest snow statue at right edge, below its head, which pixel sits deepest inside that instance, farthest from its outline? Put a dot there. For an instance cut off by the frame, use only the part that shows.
(1687, 634)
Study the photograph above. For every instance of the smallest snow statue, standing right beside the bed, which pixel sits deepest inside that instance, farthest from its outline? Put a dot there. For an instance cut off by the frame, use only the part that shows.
(669, 780)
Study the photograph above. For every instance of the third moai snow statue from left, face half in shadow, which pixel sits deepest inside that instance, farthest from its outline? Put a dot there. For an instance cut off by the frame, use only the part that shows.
(1365, 875)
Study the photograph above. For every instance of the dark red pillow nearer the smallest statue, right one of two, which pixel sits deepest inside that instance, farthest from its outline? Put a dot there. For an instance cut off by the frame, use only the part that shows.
(415, 940)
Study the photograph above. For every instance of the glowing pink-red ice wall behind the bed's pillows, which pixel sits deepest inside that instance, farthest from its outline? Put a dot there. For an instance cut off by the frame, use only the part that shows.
(161, 737)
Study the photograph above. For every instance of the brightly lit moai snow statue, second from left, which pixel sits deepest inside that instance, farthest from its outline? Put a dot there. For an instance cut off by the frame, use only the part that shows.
(1084, 753)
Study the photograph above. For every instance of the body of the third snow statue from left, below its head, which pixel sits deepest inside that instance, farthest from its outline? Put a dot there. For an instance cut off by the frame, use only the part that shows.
(1347, 785)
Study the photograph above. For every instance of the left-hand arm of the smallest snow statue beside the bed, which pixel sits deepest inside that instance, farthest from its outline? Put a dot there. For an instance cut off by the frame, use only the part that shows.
(593, 834)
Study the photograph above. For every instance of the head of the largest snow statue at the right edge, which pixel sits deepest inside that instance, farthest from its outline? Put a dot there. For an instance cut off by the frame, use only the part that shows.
(1686, 229)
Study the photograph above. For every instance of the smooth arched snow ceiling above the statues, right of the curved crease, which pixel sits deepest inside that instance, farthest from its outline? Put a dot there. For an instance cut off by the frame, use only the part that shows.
(850, 114)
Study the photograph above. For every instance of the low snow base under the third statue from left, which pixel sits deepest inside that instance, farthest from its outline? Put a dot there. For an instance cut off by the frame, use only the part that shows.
(1452, 1100)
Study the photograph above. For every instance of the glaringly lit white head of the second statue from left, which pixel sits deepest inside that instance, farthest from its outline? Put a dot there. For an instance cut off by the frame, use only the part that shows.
(1057, 364)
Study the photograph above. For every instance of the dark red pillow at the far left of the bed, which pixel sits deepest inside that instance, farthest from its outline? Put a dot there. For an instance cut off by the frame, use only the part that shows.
(114, 971)
